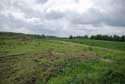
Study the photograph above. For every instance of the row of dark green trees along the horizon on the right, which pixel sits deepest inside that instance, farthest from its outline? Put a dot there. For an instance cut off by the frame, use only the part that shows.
(101, 37)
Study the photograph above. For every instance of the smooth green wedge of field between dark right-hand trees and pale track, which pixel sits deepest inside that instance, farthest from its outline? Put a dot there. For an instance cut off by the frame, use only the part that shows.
(100, 43)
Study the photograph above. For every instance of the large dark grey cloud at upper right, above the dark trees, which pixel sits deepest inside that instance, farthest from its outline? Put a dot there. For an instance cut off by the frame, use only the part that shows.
(95, 17)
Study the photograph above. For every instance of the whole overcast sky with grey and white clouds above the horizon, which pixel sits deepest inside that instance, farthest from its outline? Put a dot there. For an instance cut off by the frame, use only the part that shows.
(63, 17)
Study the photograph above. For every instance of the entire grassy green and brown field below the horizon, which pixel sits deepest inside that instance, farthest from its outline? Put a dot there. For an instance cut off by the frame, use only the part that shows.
(32, 60)
